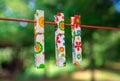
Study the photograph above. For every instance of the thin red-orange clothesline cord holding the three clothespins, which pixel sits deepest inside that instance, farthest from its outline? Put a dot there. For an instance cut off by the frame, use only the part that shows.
(53, 23)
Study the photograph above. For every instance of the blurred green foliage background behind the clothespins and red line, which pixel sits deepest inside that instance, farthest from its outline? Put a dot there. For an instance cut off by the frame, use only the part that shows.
(101, 48)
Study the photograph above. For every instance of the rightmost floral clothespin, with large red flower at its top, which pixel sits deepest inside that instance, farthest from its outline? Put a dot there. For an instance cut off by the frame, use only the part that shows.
(76, 40)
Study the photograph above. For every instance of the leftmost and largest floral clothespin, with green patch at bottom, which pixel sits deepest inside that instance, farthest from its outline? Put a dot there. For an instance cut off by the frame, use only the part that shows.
(39, 46)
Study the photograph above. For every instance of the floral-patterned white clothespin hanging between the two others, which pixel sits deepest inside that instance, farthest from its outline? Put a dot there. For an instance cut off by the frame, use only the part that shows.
(60, 40)
